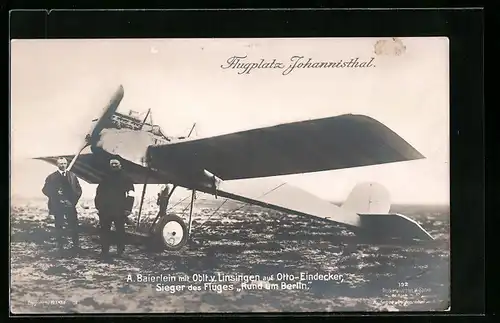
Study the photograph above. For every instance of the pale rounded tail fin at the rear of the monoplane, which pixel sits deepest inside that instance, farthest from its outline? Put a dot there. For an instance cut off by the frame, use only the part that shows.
(369, 197)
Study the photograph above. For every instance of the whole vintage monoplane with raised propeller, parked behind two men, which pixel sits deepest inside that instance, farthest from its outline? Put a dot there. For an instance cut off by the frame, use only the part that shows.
(211, 165)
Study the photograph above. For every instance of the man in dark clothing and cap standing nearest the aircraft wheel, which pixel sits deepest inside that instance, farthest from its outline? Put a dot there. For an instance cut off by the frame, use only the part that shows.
(114, 201)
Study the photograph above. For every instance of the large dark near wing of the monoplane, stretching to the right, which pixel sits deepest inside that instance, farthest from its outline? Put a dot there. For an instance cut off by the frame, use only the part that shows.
(343, 141)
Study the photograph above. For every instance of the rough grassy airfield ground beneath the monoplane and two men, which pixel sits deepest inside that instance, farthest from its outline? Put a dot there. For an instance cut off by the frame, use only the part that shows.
(250, 241)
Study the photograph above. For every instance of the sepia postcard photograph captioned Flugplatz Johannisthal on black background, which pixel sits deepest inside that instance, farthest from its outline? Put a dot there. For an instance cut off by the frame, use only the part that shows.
(229, 175)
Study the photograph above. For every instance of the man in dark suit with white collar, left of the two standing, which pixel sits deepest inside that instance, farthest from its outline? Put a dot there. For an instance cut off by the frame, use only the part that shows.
(64, 191)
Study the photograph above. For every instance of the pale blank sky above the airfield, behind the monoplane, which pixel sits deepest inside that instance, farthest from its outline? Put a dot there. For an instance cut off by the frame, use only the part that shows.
(58, 86)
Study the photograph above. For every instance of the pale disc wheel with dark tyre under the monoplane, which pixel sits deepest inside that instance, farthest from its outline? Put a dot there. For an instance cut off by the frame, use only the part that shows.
(173, 232)
